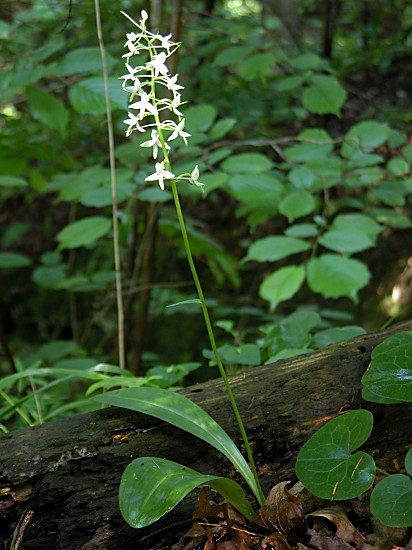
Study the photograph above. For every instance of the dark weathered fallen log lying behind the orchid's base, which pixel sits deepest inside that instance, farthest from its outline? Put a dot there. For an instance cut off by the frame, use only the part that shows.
(60, 480)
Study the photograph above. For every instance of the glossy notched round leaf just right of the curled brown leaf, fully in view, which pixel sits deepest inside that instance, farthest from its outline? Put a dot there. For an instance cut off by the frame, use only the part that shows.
(326, 465)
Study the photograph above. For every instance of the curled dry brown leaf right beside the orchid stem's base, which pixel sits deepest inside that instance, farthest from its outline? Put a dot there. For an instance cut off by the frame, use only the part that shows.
(282, 511)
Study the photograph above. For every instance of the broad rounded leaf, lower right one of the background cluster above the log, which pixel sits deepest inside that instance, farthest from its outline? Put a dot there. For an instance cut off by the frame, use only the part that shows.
(334, 276)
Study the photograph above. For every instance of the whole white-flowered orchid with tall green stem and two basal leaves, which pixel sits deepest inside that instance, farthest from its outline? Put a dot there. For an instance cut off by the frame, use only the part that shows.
(150, 486)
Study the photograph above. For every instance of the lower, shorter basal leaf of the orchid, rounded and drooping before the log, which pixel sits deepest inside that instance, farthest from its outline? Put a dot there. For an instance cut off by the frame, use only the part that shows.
(150, 487)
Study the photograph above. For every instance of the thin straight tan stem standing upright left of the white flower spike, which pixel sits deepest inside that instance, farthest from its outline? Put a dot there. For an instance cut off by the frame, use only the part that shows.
(119, 295)
